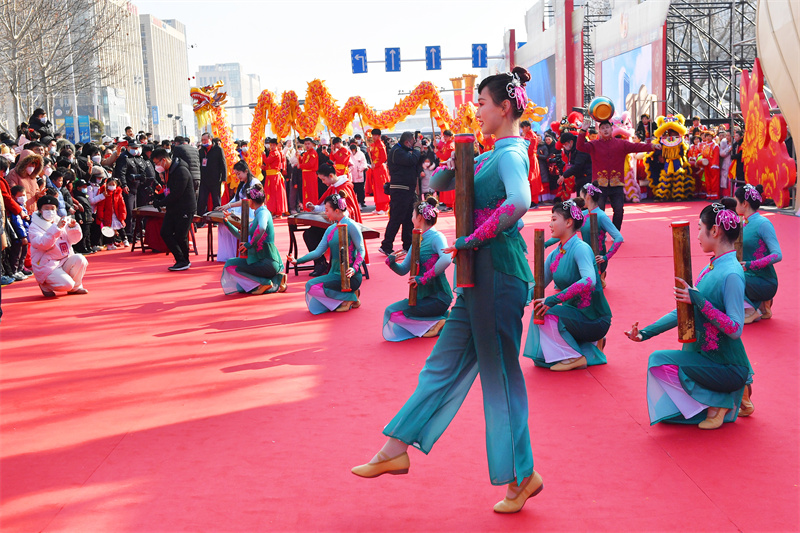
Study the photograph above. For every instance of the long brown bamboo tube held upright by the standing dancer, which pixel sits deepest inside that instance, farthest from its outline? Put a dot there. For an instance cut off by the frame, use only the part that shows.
(464, 206)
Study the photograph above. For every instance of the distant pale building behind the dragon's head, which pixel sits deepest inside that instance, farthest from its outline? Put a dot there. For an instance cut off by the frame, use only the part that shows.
(242, 89)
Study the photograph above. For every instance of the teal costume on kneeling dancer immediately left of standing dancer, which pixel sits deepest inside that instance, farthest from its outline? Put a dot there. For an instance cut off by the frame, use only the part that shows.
(433, 290)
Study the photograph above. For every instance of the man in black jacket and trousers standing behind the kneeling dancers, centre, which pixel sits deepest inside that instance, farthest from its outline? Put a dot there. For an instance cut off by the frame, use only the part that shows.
(403, 162)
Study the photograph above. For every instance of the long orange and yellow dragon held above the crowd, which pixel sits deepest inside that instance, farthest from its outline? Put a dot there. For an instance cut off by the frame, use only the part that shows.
(320, 110)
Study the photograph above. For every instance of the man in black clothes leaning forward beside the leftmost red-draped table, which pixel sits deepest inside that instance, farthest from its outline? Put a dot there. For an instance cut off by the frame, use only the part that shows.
(181, 203)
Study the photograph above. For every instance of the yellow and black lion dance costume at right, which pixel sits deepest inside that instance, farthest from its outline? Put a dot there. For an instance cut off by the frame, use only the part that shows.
(668, 169)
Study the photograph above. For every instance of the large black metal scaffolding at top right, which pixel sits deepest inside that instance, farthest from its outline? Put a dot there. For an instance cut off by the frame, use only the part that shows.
(708, 44)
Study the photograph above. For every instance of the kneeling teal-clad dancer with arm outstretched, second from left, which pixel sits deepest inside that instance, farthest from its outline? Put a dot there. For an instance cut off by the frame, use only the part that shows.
(324, 293)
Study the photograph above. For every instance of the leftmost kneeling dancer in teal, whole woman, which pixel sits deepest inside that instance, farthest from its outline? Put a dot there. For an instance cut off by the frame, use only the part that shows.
(262, 270)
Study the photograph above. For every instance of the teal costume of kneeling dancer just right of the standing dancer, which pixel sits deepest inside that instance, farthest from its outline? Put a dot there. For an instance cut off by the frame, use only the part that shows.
(581, 307)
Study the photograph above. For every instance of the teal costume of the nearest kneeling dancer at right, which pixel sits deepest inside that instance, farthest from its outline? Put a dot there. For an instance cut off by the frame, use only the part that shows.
(713, 369)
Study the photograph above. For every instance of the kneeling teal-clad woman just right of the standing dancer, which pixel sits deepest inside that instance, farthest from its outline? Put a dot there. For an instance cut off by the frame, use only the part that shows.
(576, 318)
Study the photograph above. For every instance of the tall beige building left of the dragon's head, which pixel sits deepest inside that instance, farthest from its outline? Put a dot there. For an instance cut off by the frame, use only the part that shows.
(166, 77)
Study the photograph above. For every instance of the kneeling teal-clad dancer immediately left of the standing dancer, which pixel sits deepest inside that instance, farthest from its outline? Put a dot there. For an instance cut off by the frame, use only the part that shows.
(426, 319)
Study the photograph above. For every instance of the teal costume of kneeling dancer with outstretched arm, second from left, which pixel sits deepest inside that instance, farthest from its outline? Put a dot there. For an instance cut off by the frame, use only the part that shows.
(332, 281)
